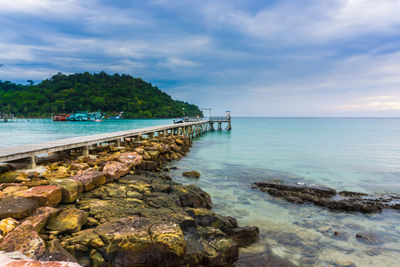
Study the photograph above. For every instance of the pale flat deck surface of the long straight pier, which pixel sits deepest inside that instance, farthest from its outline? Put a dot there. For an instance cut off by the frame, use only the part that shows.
(27, 151)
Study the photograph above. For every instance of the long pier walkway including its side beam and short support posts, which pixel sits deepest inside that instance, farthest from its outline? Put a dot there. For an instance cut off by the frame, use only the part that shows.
(30, 152)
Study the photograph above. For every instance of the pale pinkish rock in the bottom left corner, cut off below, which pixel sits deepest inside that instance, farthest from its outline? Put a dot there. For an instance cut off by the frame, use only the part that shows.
(9, 262)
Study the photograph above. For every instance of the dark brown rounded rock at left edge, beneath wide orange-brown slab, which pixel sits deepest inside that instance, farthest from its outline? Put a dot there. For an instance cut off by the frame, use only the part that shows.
(17, 207)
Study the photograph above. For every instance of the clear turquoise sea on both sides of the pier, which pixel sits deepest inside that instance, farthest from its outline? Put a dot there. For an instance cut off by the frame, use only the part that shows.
(357, 154)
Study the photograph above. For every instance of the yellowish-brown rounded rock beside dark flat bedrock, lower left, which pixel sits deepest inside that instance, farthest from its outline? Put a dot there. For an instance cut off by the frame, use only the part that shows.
(68, 221)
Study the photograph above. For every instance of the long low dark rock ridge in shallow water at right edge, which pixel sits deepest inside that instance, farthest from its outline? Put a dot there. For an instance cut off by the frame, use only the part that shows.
(327, 197)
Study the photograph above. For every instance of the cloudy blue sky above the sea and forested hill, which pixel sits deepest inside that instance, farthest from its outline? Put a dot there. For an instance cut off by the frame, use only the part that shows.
(254, 58)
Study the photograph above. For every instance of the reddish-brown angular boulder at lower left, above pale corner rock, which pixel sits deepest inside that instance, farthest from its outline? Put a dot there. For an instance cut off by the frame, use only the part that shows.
(24, 239)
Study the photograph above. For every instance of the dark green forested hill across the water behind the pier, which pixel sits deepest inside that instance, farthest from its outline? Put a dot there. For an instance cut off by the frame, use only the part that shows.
(91, 92)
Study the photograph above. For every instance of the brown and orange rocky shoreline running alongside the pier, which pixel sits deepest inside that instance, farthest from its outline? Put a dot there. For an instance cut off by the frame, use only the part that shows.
(115, 207)
